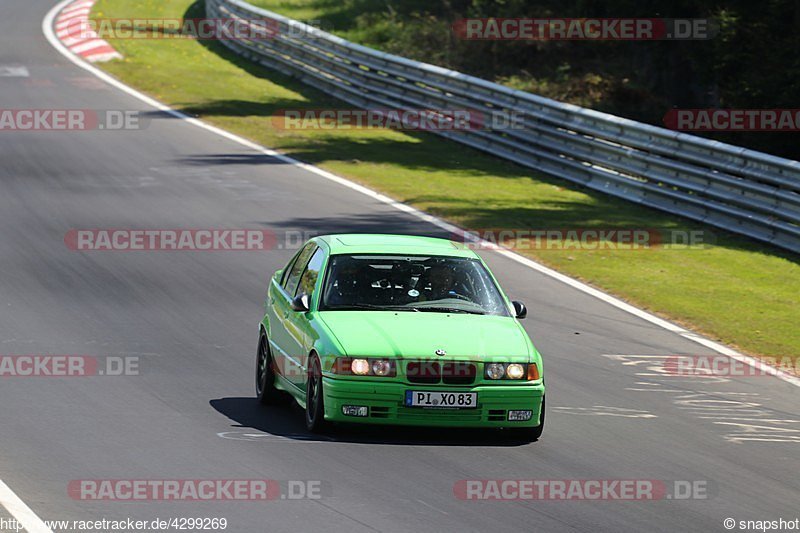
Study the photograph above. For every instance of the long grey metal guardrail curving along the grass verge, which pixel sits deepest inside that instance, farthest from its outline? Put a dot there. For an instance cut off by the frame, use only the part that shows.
(740, 190)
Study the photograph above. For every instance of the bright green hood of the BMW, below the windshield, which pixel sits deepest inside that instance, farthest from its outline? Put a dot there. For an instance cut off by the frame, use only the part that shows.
(419, 335)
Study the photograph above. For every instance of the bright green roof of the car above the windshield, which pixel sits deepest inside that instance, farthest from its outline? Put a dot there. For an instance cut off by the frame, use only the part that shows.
(375, 243)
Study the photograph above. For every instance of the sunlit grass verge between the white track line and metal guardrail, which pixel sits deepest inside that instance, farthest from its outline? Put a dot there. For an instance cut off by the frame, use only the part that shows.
(737, 291)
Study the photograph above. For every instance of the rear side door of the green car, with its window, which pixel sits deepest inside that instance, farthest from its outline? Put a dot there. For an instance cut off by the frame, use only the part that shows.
(280, 309)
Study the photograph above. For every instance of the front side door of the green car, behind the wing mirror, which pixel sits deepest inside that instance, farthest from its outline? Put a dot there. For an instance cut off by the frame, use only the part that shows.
(300, 333)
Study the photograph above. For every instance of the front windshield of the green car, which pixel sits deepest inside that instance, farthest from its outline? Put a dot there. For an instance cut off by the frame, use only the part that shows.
(411, 283)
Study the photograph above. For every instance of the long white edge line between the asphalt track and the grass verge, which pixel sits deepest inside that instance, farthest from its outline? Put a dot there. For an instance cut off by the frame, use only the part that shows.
(47, 27)
